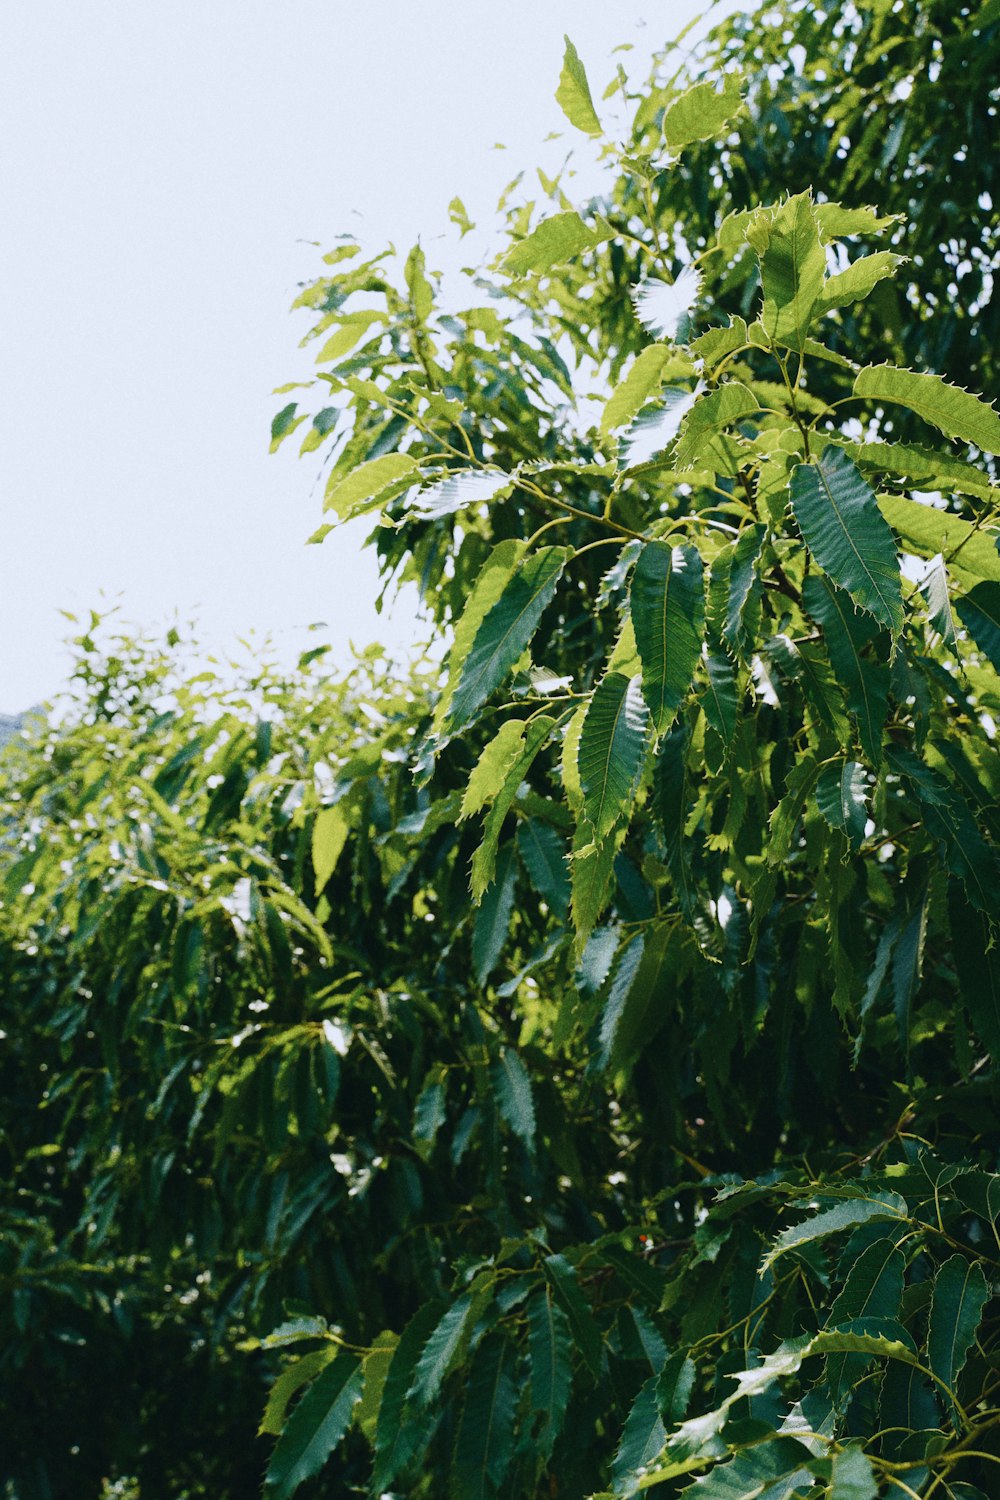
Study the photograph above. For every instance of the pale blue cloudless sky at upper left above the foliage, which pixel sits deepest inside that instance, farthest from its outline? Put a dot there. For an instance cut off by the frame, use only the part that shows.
(163, 167)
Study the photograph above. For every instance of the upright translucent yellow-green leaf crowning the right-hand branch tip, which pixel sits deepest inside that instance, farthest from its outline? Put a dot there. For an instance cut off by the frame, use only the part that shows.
(792, 269)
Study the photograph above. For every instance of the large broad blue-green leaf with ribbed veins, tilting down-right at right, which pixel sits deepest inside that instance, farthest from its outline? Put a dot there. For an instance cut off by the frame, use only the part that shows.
(845, 530)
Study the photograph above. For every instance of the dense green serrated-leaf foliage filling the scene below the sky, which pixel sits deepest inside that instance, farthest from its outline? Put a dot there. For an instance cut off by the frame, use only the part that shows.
(575, 1075)
